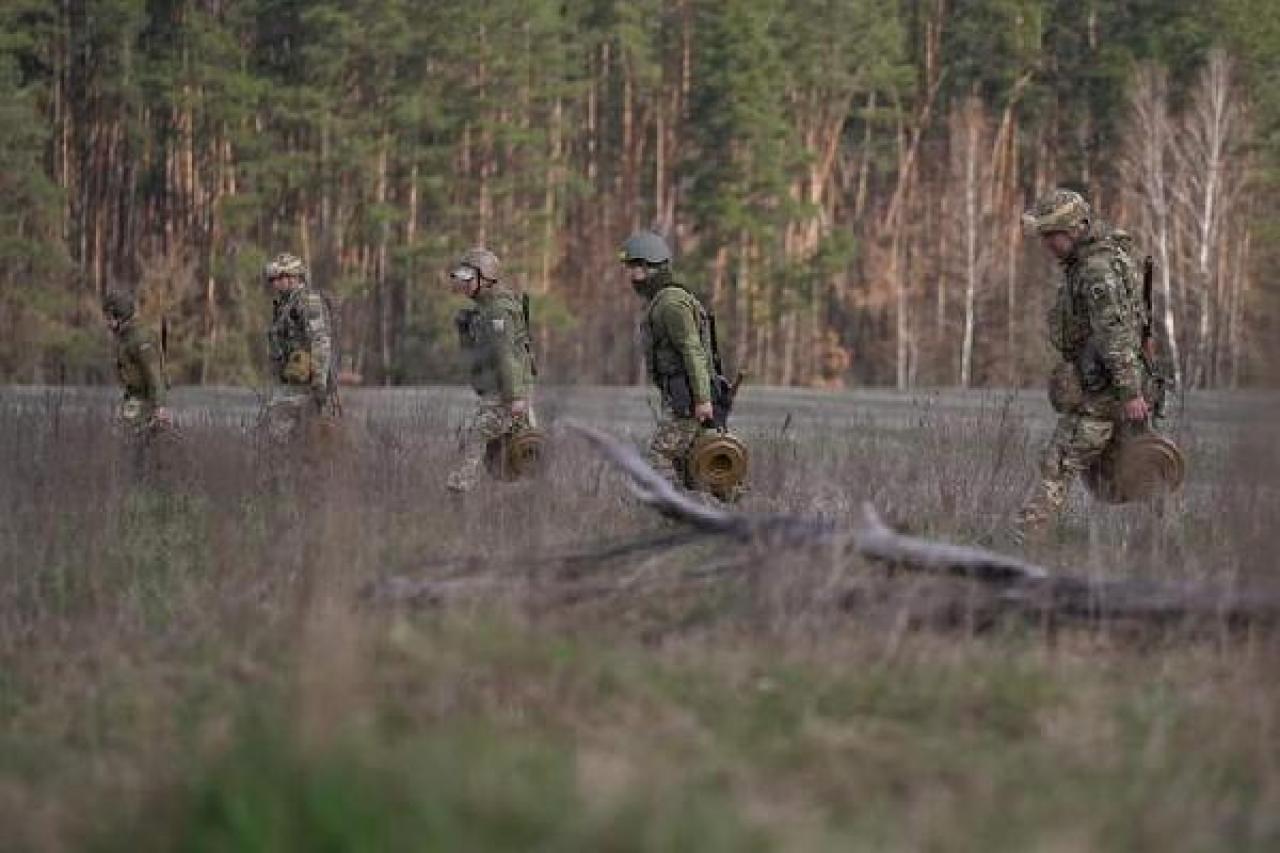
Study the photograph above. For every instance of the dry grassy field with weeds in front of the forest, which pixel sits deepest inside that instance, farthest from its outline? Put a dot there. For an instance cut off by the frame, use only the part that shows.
(190, 658)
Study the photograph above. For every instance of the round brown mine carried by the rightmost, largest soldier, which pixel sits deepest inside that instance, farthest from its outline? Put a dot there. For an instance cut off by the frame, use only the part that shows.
(1136, 467)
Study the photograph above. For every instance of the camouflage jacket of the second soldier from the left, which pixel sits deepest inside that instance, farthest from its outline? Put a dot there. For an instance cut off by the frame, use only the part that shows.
(301, 339)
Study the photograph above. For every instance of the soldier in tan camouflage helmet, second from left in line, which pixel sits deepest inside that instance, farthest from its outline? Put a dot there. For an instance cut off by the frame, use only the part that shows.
(301, 345)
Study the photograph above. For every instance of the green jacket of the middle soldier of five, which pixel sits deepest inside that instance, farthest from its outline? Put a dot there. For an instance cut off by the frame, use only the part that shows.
(497, 345)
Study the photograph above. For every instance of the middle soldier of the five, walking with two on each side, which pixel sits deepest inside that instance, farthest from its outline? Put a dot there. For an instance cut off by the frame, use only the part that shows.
(496, 343)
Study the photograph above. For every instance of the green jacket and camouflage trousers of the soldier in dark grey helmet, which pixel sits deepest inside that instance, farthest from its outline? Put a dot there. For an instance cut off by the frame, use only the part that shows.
(675, 337)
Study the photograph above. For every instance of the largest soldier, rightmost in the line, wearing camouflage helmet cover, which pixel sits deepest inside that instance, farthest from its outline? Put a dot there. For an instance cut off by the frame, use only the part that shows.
(1096, 326)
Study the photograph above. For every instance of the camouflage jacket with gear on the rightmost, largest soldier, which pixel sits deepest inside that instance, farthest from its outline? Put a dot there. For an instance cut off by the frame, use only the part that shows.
(1096, 321)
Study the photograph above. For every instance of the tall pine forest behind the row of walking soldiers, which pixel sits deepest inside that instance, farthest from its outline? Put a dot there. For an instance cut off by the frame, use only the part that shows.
(842, 180)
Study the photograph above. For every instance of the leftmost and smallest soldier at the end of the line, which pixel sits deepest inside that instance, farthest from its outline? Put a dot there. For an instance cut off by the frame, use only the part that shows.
(139, 364)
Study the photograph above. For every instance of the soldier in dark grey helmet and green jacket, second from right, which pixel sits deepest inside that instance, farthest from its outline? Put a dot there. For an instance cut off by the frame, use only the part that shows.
(676, 340)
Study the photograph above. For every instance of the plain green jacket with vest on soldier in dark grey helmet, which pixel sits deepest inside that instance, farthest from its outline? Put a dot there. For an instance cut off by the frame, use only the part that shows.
(676, 339)
